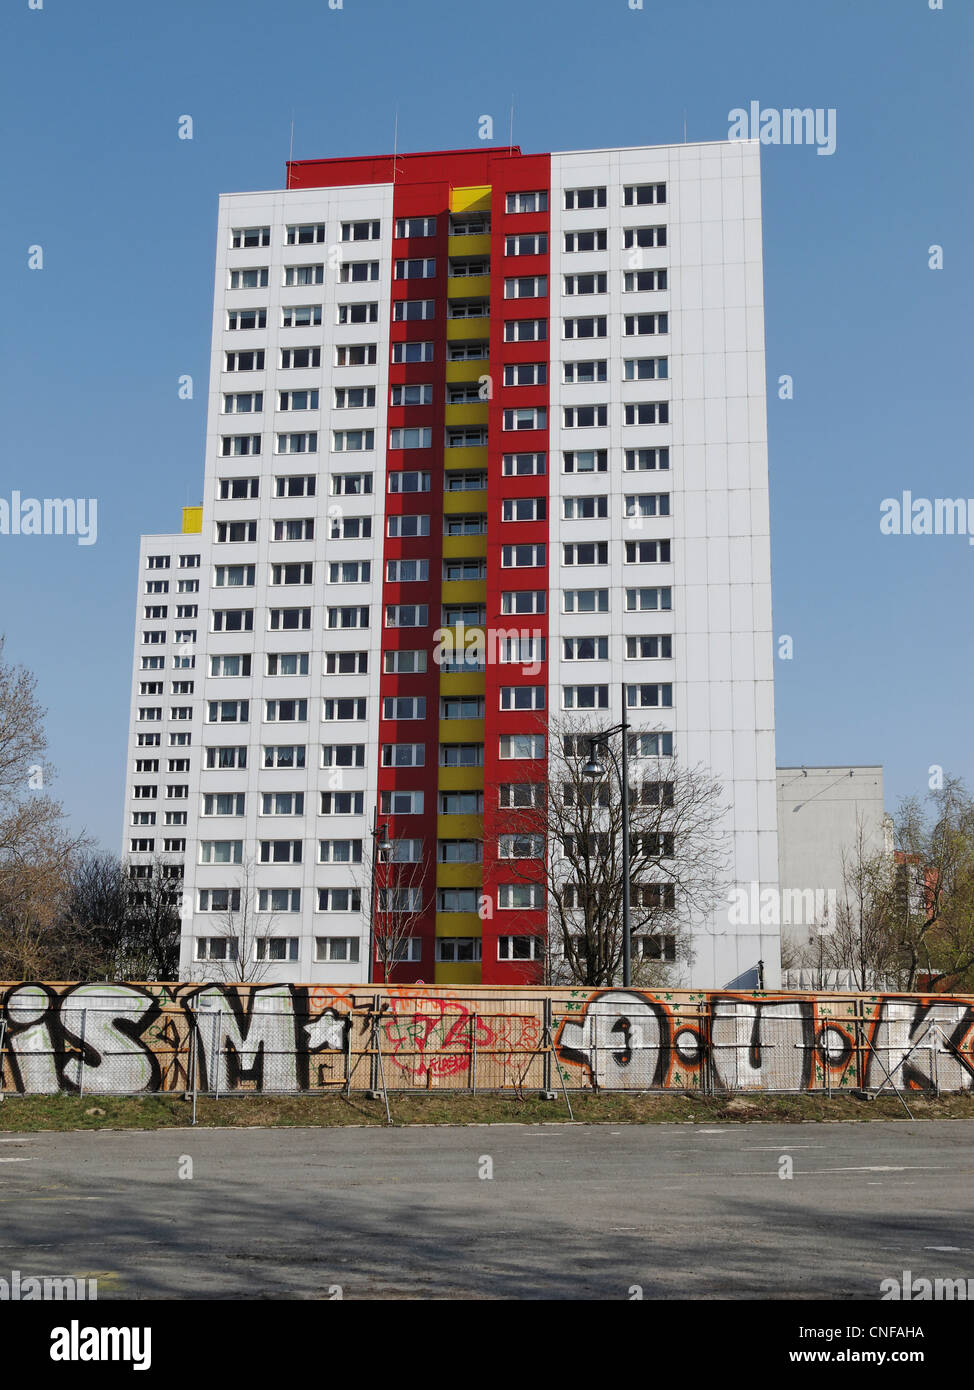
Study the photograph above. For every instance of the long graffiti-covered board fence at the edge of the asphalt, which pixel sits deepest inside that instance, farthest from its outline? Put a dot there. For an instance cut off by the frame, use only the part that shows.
(131, 1039)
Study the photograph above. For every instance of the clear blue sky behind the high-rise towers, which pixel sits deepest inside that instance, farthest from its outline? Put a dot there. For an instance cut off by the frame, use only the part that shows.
(877, 344)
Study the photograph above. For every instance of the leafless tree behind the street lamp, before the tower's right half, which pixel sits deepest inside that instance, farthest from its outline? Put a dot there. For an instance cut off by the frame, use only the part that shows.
(566, 837)
